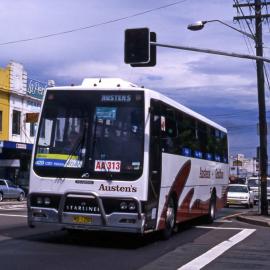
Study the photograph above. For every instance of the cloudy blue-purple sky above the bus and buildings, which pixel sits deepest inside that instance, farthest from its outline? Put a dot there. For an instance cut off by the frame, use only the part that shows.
(86, 39)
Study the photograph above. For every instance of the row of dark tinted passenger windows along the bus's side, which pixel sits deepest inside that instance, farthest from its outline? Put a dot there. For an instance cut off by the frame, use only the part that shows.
(193, 137)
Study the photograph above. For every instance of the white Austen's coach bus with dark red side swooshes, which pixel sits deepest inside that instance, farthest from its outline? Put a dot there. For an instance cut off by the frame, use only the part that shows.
(110, 155)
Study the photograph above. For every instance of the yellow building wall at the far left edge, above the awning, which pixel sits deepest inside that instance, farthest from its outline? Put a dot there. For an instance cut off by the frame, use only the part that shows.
(4, 102)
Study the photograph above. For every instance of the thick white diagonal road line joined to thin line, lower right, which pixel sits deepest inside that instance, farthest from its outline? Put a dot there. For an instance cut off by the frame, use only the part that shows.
(217, 250)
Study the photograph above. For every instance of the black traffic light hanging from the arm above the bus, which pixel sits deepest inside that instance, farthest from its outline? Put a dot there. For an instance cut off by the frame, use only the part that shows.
(138, 51)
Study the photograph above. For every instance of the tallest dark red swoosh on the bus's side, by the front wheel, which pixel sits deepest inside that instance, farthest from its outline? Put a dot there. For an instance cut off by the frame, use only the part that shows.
(177, 189)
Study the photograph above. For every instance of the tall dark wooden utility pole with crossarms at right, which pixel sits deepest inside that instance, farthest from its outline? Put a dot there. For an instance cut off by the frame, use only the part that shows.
(257, 6)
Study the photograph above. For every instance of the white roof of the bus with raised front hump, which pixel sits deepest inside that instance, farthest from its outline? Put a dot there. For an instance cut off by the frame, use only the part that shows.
(119, 84)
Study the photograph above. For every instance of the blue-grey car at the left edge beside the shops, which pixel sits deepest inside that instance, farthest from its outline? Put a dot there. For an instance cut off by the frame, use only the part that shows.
(10, 191)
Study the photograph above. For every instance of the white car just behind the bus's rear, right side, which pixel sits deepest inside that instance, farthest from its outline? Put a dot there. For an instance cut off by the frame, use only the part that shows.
(240, 195)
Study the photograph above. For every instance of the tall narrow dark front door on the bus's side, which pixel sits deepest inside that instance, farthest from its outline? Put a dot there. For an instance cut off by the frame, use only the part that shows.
(151, 206)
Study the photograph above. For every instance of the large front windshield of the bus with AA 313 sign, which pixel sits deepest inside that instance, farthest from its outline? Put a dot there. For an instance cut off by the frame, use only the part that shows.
(91, 134)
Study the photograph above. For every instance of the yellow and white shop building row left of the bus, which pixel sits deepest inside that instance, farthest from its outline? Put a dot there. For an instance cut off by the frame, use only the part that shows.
(21, 97)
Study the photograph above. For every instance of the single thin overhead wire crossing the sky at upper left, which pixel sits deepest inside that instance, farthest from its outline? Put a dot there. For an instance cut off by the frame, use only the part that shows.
(93, 25)
